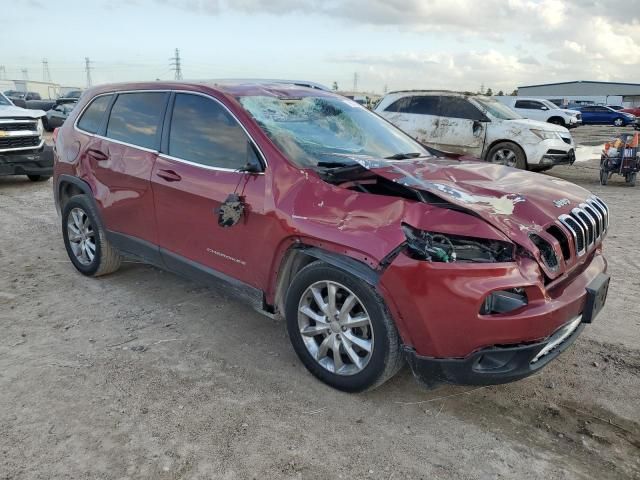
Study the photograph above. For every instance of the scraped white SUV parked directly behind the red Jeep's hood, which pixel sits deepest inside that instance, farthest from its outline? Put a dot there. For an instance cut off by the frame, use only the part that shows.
(478, 126)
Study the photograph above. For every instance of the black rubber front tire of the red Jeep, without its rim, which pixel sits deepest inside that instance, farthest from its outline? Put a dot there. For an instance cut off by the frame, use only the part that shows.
(376, 309)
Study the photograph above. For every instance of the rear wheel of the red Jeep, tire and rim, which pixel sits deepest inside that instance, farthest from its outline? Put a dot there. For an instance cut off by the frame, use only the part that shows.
(92, 258)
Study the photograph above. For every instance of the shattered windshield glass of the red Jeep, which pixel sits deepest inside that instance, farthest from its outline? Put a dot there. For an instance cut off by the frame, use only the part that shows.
(324, 131)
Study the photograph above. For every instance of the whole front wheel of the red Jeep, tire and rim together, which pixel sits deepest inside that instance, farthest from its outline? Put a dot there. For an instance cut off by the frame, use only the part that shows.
(372, 367)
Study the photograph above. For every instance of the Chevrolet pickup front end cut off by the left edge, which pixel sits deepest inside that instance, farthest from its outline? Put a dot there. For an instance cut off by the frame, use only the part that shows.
(22, 146)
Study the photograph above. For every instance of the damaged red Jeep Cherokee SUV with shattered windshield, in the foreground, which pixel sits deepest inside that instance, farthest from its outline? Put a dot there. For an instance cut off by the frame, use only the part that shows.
(374, 249)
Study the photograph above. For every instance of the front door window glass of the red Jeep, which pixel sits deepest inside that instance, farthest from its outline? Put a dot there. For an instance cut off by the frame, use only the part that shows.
(203, 132)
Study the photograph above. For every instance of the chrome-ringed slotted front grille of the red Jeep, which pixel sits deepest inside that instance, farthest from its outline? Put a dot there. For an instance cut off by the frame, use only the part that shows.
(587, 224)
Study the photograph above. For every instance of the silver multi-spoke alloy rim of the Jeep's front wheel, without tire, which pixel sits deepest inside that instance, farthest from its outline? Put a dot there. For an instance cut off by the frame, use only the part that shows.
(335, 328)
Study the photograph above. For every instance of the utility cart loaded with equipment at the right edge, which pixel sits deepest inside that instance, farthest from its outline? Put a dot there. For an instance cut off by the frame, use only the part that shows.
(622, 157)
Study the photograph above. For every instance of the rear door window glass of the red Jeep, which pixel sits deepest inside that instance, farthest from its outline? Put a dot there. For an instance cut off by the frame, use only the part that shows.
(135, 118)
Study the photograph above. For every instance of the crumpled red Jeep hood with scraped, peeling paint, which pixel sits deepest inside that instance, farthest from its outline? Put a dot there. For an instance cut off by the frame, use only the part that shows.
(516, 202)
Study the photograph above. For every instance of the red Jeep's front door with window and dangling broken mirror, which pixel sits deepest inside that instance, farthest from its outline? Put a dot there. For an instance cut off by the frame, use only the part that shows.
(196, 175)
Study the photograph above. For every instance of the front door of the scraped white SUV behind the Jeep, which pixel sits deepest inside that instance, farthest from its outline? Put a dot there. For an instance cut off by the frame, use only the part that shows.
(461, 128)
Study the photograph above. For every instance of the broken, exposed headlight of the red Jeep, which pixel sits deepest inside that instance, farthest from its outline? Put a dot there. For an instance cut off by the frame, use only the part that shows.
(437, 247)
